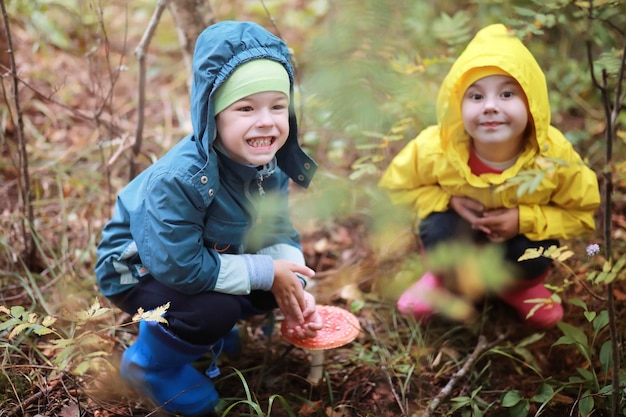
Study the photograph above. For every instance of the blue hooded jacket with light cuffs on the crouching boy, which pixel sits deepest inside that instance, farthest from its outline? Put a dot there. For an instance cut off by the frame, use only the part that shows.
(196, 220)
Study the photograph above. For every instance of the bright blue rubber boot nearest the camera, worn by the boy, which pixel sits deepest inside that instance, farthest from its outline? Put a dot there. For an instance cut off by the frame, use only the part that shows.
(158, 365)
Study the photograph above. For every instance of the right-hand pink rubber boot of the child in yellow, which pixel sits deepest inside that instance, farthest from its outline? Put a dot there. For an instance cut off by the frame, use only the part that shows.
(527, 296)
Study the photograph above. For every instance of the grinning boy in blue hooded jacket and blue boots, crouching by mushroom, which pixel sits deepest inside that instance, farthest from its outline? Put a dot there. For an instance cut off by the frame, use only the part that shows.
(207, 228)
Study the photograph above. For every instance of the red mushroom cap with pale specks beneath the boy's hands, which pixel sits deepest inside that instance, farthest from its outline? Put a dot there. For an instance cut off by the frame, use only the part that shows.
(339, 328)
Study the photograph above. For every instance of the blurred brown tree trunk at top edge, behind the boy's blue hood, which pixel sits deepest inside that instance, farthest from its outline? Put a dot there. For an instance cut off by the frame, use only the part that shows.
(191, 18)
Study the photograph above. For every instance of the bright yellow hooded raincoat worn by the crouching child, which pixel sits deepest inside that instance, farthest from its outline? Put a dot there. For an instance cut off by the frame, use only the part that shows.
(433, 167)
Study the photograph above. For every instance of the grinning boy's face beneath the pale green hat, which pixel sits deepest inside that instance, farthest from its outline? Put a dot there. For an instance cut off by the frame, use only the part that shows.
(254, 128)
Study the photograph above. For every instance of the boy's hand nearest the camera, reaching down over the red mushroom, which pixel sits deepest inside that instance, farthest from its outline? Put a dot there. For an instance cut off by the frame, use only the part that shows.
(288, 290)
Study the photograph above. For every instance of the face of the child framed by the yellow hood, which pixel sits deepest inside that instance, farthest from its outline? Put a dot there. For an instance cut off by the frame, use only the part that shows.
(495, 112)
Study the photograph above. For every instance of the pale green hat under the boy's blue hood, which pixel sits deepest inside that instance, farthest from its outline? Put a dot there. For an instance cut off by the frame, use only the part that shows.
(256, 76)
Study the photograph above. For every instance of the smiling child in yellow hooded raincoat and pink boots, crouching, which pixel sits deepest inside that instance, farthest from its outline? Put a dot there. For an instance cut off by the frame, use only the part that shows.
(493, 124)
